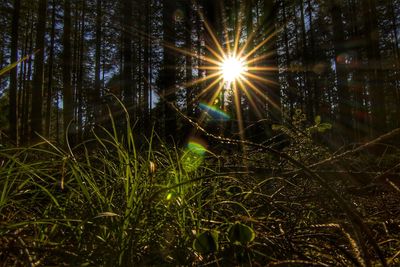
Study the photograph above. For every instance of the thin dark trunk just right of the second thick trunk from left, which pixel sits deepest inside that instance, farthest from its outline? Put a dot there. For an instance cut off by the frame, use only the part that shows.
(50, 76)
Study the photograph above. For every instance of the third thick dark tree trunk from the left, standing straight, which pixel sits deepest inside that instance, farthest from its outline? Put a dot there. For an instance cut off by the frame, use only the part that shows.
(68, 110)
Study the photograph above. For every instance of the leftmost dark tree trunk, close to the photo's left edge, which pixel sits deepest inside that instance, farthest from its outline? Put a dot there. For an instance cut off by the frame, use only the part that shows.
(13, 117)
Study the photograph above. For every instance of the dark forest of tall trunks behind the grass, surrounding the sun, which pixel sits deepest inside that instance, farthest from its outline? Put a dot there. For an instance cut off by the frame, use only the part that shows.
(336, 59)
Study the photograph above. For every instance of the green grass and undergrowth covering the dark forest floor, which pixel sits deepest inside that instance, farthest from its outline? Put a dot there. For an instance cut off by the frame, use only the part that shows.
(109, 202)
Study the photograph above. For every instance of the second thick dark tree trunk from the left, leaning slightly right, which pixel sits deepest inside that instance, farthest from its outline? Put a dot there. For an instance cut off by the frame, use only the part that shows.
(36, 119)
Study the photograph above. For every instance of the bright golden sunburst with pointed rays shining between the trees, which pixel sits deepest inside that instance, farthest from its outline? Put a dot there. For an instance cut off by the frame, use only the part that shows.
(236, 67)
